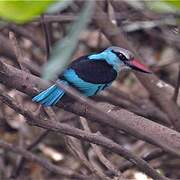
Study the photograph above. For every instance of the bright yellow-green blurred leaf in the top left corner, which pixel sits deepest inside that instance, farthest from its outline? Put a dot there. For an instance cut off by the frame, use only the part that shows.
(21, 11)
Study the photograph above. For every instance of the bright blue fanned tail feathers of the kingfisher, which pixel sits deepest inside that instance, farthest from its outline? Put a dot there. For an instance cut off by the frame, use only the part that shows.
(50, 96)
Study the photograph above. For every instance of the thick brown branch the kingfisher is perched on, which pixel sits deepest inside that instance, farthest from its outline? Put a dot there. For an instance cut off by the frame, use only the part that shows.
(136, 125)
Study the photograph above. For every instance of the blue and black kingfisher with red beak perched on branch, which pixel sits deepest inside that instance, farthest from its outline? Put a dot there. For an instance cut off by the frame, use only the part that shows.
(91, 74)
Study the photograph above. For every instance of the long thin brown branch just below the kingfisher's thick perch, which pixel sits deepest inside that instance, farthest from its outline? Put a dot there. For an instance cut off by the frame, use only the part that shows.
(93, 138)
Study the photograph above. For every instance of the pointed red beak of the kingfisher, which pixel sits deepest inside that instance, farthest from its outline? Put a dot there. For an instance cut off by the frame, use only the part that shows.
(136, 65)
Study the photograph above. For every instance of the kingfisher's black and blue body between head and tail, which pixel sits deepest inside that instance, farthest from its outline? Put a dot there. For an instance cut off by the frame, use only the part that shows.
(89, 77)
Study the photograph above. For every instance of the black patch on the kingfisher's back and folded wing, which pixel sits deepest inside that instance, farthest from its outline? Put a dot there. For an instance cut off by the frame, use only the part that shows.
(96, 71)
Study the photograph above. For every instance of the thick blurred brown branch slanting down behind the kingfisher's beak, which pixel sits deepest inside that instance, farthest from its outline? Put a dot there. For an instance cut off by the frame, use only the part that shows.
(160, 95)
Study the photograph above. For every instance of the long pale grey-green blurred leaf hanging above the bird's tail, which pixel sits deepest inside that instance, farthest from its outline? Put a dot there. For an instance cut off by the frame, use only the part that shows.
(64, 49)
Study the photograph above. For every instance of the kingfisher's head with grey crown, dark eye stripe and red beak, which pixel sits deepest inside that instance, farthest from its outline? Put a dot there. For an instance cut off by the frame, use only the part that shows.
(121, 58)
